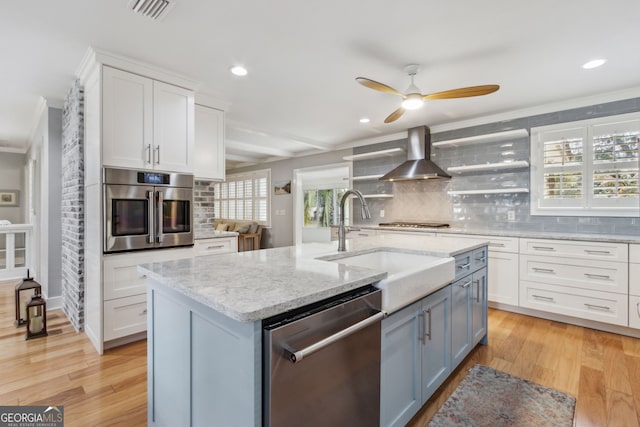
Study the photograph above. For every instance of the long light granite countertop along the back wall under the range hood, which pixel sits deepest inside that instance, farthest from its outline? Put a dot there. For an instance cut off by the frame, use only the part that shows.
(610, 238)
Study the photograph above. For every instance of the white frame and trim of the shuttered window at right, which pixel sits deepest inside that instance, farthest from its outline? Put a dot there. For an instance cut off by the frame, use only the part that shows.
(588, 205)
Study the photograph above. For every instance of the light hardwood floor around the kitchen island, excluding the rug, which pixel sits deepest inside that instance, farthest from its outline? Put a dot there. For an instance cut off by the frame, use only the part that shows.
(601, 369)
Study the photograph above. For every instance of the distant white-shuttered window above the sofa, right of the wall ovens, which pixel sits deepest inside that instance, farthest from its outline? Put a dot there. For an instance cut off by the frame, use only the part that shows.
(244, 196)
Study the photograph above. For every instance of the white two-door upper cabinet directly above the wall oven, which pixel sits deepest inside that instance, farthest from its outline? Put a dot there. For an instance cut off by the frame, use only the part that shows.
(147, 124)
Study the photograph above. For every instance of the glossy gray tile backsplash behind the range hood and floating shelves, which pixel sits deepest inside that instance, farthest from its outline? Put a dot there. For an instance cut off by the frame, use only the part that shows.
(430, 201)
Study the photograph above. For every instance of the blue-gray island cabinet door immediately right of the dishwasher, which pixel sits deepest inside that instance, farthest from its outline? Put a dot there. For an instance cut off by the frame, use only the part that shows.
(400, 393)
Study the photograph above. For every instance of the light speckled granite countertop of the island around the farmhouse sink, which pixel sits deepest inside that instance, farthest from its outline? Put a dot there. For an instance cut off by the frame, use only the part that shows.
(251, 286)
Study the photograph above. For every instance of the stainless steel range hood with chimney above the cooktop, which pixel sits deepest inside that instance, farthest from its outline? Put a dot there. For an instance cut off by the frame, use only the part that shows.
(418, 165)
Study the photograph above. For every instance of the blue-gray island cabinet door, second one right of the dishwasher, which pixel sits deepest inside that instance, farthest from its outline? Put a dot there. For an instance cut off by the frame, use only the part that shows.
(436, 341)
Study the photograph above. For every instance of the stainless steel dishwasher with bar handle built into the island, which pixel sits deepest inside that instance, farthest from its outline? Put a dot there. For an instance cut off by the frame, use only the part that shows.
(322, 363)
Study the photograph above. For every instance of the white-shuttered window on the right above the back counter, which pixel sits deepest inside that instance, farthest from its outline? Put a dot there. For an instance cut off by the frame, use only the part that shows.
(586, 168)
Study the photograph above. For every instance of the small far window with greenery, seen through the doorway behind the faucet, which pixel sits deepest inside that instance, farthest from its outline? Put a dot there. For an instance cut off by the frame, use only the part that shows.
(322, 207)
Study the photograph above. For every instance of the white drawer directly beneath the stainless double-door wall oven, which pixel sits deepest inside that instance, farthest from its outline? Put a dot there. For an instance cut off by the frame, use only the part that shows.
(120, 272)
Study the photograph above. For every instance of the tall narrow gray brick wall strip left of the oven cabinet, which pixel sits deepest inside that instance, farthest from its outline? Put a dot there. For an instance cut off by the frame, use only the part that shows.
(73, 206)
